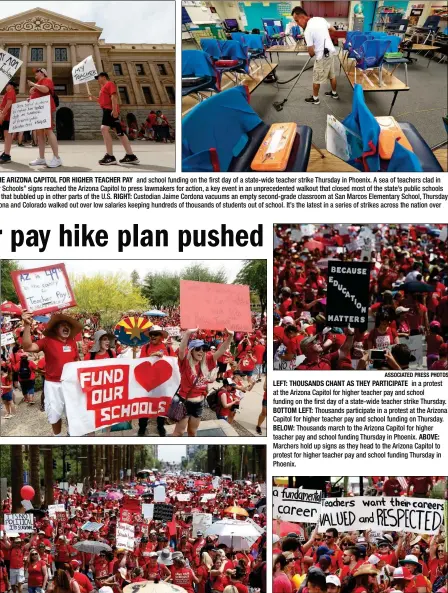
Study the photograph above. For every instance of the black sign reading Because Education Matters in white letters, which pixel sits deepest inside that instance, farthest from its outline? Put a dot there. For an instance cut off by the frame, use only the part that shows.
(348, 294)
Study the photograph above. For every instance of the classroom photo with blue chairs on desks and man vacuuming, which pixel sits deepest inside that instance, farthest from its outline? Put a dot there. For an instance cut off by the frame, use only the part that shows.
(314, 86)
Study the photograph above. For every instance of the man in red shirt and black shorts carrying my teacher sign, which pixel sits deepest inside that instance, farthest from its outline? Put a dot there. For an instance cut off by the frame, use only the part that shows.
(108, 101)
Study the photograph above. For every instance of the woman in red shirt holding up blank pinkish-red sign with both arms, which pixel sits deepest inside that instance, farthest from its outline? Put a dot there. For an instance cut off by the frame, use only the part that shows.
(195, 365)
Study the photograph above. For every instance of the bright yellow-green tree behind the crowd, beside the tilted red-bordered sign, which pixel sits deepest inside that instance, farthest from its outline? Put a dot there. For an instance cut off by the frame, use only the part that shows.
(109, 294)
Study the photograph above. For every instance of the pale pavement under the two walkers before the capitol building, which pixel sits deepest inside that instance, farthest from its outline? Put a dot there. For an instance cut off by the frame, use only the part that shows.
(83, 156)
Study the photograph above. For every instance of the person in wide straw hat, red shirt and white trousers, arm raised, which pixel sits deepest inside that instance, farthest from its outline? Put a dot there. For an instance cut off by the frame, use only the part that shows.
(59, 347)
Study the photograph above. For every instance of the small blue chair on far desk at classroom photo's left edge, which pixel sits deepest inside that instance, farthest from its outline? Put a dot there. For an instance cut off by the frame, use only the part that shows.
(198, 74)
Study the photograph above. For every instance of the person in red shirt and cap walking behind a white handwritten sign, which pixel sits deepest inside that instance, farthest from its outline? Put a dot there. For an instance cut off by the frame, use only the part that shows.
(42, 88)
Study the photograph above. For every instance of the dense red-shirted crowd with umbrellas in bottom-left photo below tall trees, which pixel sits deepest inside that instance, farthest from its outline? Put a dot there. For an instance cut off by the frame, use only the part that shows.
(79, 552)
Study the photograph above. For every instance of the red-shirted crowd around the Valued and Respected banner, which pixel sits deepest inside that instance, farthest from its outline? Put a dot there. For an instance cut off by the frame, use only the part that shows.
(362, 562)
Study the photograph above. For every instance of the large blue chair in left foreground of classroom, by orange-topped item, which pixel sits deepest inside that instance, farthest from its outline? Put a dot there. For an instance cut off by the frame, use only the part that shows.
(224, 134)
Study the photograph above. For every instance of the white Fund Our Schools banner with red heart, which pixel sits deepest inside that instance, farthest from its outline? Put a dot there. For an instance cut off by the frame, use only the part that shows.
(100, 393)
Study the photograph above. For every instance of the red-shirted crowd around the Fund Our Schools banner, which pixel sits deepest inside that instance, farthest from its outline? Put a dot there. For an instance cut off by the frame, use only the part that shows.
(217, 368)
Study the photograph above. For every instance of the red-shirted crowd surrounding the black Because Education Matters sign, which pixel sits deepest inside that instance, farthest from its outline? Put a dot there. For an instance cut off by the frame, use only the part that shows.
(408, 296)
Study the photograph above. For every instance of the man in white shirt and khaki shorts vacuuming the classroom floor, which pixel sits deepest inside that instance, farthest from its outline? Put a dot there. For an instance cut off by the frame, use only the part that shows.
(317, 37)
